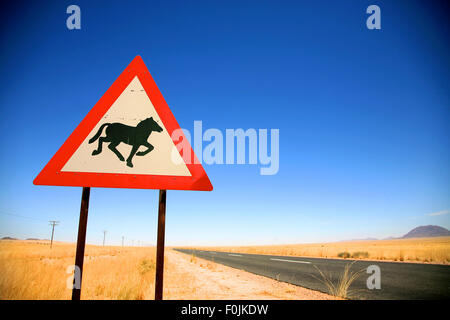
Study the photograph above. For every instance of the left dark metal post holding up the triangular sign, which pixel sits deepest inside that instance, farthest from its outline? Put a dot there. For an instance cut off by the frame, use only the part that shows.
(81, 242)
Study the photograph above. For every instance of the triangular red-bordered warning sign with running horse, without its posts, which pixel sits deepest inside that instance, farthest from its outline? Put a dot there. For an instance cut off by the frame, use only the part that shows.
(126, 141)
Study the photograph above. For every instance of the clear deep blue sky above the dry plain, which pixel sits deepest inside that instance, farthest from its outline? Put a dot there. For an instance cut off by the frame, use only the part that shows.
(363, 115)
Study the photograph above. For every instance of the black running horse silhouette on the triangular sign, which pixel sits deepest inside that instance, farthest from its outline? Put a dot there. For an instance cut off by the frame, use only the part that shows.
(135, 136)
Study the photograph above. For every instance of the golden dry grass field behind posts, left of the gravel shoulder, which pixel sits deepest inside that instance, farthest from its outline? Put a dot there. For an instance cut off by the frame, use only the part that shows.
(31, 270)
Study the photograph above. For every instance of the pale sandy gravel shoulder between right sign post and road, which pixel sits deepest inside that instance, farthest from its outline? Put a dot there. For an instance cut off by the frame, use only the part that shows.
(188, 277)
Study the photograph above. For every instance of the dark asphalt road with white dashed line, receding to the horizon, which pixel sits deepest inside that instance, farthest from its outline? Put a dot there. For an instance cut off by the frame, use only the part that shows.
(399, 281)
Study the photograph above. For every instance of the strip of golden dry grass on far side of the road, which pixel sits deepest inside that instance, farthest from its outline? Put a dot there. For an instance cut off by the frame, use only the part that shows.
(427, 250)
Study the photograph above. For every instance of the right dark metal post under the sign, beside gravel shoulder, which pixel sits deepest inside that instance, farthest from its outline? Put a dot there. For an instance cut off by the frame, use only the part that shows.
(160, 245)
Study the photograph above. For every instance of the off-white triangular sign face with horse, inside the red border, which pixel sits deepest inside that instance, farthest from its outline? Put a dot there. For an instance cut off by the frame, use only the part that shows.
(119, 142)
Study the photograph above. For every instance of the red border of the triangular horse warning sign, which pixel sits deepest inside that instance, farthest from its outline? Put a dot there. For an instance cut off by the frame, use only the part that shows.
(52, 174)
